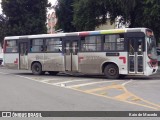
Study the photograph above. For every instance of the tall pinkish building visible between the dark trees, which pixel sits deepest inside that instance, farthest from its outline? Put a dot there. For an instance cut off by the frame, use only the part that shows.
(51, 22)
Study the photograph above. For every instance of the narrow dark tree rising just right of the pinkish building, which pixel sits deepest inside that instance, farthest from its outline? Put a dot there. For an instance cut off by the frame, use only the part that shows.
(64, 13)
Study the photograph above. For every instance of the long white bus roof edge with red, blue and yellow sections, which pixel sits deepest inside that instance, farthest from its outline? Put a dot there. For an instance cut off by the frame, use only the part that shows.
(83, 33)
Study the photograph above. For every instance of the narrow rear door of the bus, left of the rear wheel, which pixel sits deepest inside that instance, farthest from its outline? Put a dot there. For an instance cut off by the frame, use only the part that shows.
(23, 55)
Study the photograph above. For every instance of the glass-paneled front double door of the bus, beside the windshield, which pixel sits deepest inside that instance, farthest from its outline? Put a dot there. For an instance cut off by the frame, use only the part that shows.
(136, 55)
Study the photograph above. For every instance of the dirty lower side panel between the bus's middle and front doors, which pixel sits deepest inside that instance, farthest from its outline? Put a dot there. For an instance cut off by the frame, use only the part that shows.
(91, 63)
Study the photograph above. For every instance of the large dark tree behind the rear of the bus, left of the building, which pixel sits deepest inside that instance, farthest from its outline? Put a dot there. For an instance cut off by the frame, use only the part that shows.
(25, 16)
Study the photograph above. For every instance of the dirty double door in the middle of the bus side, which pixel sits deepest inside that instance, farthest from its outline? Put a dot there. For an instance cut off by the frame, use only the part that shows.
(71, 55)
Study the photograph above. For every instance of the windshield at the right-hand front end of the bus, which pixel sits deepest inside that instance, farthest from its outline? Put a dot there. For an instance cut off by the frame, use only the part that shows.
(151, 48)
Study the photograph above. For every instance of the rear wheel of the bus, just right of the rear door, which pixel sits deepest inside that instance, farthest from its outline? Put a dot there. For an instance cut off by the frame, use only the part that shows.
(37, 68)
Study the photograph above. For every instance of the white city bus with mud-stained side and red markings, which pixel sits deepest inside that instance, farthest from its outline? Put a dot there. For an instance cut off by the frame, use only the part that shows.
(113, 53)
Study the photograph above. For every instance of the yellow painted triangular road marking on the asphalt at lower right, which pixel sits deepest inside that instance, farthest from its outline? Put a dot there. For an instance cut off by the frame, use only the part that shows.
(124, 97)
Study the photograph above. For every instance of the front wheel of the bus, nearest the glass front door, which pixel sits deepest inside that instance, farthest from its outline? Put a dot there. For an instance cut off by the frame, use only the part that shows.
(111, 71)
